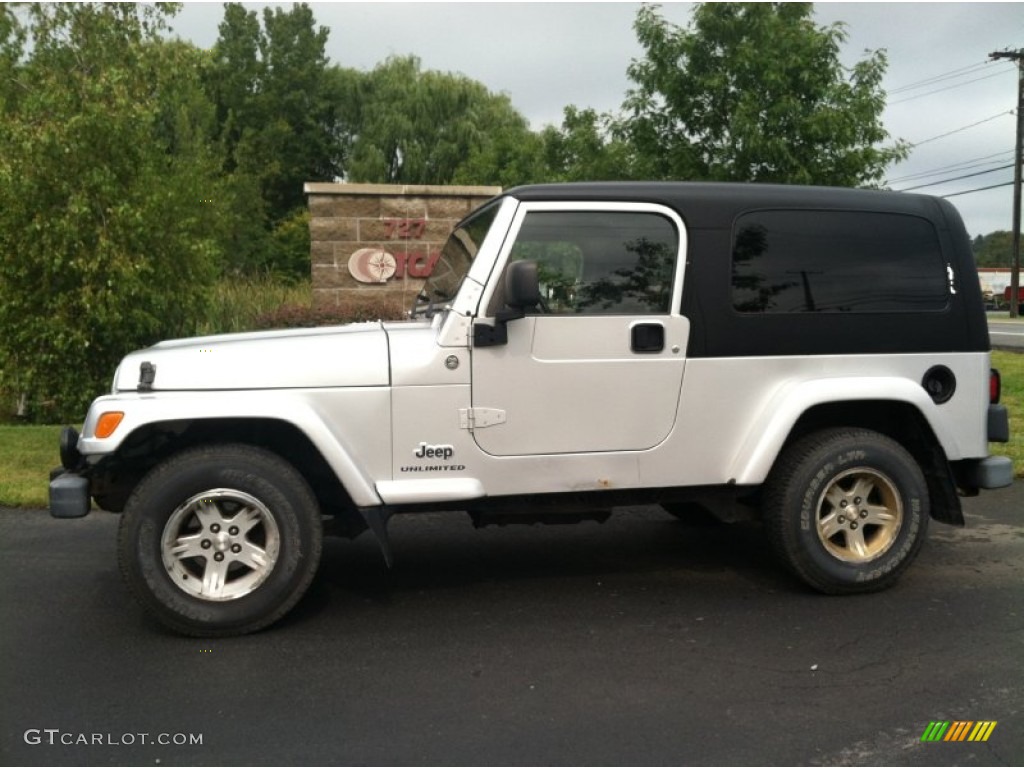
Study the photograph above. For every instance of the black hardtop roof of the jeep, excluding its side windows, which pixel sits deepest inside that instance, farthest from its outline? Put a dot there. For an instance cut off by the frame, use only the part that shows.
(709, 211)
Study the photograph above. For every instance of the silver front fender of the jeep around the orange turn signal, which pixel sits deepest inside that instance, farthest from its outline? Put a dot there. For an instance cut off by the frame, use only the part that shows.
(351, 428)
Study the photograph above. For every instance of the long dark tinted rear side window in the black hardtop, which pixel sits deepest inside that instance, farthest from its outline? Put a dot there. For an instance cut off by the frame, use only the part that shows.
(837, 262)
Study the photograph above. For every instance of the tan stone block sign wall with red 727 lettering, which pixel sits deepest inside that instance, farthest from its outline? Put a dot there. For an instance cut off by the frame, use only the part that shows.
(373, 242)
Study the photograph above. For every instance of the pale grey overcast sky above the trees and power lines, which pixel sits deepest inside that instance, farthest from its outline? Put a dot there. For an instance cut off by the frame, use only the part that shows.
(547, 56)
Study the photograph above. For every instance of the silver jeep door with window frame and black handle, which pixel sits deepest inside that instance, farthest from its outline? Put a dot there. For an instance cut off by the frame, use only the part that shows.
(599, 365)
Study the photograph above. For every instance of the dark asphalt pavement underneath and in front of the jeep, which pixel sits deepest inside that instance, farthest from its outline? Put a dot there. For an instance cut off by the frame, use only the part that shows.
(638, 643)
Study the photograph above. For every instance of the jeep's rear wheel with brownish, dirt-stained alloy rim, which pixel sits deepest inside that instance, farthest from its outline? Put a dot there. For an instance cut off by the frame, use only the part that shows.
(847, 510)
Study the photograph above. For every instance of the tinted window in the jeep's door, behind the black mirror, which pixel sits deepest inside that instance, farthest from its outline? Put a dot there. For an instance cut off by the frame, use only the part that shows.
(602, 263)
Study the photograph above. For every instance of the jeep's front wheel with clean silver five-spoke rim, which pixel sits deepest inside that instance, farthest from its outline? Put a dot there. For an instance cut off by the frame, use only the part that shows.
(221, 540)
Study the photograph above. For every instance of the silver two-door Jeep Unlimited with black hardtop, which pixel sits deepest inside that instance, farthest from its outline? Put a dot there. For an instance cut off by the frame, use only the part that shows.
(818, 359)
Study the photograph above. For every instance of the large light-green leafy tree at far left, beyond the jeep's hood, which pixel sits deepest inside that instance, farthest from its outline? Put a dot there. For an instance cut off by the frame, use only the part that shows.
(109, 197)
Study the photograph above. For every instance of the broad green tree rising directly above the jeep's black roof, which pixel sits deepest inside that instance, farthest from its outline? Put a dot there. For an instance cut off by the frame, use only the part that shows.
(755, 93)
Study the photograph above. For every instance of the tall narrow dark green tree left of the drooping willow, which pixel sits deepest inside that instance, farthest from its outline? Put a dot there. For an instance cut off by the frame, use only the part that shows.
(278, 111)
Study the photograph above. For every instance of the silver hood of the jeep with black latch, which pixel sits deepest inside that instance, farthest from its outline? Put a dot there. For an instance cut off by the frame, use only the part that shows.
(355, 356)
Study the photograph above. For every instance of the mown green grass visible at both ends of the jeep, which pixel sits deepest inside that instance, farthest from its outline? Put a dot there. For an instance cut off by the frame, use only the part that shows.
(28, 454)
